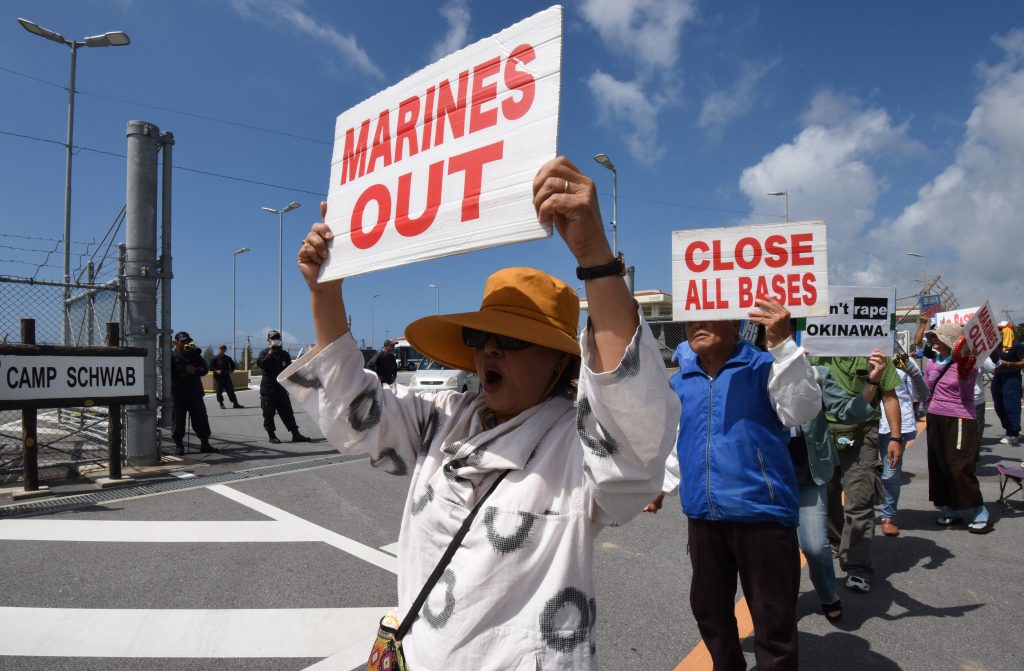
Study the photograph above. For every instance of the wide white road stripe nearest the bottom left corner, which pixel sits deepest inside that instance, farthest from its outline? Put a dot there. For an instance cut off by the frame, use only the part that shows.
(190, 634)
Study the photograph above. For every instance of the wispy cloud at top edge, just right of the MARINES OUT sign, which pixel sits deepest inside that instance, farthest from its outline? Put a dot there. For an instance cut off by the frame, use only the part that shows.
(647, 33)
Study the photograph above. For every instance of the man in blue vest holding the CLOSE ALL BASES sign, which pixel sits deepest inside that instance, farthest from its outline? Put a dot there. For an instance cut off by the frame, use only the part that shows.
(739, 486)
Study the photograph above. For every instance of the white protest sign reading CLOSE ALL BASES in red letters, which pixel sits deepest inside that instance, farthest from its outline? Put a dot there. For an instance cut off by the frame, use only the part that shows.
(717, 274)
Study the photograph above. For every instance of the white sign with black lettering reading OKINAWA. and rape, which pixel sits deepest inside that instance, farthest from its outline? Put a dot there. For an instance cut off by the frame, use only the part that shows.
(861, 320)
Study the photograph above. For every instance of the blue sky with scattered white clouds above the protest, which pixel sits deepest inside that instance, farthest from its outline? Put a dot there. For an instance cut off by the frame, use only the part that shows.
(901, 123)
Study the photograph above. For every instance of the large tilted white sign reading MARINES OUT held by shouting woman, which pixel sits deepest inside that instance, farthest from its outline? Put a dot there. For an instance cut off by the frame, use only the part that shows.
(444, 162)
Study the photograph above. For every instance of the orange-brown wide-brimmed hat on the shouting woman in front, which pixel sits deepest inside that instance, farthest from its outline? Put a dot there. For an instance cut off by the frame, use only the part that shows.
(521, 303)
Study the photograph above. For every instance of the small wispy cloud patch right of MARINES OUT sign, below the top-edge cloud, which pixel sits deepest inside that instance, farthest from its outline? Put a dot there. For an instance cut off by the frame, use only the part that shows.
(627, 103)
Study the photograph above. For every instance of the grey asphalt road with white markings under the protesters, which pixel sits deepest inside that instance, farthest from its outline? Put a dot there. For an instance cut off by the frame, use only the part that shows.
(288, 570)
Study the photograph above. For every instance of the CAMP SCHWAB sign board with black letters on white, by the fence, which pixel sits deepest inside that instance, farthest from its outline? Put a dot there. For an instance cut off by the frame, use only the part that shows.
(49, 378)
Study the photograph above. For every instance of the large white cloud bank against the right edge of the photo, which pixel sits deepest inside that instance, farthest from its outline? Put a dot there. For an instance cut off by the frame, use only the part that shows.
(967, 221)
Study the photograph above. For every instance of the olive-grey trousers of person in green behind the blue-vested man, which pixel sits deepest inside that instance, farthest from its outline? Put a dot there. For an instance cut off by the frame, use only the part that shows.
(851, 525)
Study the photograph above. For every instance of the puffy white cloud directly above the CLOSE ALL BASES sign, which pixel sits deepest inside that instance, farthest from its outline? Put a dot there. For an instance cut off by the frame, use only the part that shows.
(829, 175)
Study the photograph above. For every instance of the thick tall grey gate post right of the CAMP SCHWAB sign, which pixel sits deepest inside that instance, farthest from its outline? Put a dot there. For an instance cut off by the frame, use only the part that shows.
(141, 286)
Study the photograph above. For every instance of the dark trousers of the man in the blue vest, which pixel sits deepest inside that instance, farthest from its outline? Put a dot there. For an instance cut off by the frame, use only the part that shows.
(767, 559)
